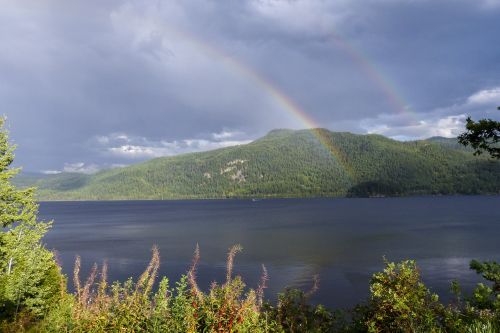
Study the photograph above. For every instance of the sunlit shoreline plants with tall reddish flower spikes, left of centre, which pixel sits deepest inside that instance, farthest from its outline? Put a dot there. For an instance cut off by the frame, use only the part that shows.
(135, 307)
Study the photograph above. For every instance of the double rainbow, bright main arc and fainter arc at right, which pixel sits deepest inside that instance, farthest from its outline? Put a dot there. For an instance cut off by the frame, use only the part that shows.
(285, 102)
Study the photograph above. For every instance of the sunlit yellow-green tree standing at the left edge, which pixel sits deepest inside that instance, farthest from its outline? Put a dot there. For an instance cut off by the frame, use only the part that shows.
(30, 280)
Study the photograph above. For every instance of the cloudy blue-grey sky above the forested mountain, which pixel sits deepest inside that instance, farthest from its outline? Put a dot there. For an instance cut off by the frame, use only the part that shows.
(87, 85)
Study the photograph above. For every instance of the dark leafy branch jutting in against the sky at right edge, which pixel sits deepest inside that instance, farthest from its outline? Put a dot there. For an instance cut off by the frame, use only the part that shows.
(483, 136)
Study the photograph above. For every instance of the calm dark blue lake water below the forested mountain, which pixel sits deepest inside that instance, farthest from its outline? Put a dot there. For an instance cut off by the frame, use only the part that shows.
(342, 240)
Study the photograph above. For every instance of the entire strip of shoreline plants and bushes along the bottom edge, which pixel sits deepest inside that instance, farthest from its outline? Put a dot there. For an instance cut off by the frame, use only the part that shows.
(399, 302)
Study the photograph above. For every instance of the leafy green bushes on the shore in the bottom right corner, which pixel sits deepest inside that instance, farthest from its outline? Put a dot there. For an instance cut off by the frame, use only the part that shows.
(400, 302)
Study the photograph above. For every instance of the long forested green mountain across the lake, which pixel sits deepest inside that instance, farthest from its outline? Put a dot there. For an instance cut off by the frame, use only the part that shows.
(288, 163)
